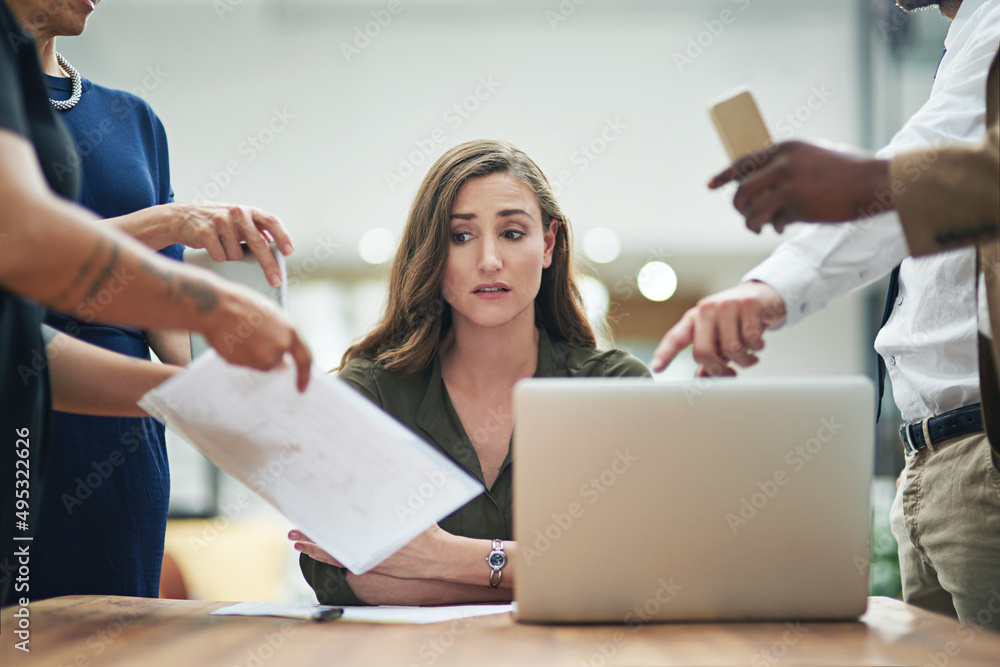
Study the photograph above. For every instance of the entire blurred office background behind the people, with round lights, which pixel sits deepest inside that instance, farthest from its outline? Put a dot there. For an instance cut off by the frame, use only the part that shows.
(329, 112)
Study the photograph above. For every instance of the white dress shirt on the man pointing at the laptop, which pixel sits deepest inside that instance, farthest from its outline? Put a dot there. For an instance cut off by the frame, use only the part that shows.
(929, 343)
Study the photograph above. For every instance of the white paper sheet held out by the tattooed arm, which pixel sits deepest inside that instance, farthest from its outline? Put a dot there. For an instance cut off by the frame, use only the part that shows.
(353, 479)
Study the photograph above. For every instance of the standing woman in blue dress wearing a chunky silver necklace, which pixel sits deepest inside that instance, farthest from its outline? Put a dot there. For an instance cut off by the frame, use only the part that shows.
(103, 517)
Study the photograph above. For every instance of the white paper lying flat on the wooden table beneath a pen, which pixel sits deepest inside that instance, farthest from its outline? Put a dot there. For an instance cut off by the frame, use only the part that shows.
(416, 615)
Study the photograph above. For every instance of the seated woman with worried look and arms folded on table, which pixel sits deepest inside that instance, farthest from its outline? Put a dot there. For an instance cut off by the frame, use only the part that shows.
(481, 295)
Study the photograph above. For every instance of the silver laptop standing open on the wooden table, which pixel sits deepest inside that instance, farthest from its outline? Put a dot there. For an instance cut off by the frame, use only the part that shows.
(638, 501)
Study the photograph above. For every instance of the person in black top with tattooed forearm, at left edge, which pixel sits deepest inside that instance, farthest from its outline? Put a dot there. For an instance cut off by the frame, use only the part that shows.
(56, 254)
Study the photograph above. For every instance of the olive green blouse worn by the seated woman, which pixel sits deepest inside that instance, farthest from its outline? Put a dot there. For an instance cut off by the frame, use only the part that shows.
(420, 401)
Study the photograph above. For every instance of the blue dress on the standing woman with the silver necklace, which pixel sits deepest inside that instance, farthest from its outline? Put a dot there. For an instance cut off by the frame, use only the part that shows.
(107, 486)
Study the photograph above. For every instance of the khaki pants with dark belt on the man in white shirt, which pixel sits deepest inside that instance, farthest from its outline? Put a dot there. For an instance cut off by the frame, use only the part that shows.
(946, 518)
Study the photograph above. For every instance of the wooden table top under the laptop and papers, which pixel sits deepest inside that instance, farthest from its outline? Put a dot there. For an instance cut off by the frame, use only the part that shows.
(138, 632)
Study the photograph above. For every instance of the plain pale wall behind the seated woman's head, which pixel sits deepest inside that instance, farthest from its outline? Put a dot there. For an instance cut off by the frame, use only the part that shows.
(330, 126)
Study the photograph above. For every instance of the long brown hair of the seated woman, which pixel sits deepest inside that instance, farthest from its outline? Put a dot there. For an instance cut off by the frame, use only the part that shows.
(416, 316)
